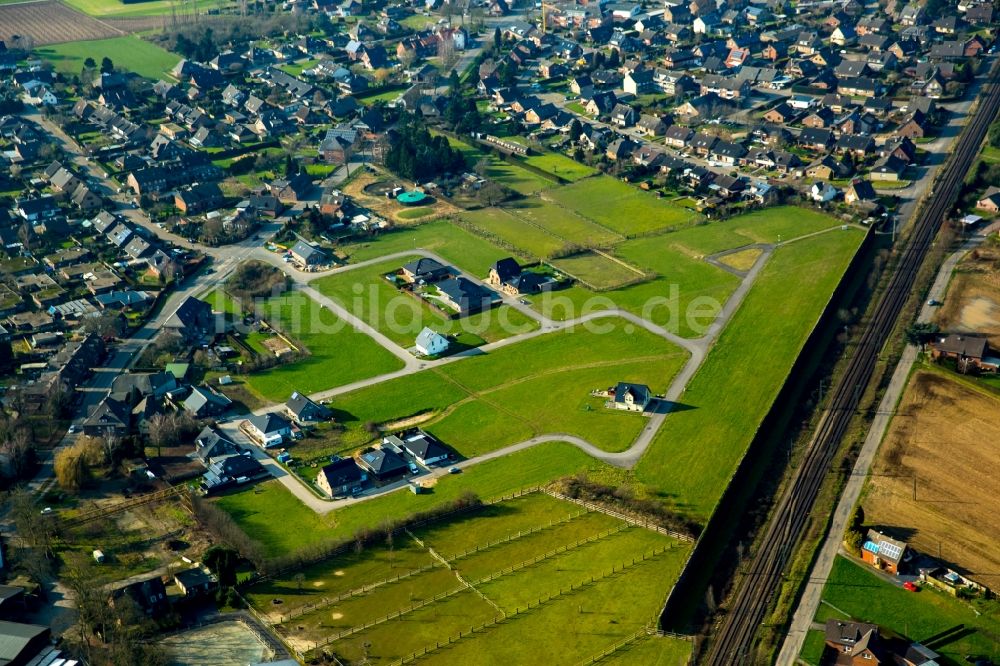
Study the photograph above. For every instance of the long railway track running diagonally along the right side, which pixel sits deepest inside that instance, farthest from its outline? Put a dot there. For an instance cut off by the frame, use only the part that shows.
(733, 642)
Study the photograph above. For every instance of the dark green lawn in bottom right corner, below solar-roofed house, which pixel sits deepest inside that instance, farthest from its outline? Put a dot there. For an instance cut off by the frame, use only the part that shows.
(959, 628)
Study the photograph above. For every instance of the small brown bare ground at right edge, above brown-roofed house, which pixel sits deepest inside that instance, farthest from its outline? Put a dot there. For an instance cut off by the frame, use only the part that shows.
(973, 301)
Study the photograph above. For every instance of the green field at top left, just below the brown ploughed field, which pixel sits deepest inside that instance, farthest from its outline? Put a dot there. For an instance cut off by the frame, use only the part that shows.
(127, 53)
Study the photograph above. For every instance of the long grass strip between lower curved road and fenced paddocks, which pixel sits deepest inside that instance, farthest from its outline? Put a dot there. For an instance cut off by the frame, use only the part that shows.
(283, 525)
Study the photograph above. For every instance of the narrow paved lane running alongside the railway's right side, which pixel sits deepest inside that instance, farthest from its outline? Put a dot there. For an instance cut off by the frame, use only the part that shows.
(811, 596)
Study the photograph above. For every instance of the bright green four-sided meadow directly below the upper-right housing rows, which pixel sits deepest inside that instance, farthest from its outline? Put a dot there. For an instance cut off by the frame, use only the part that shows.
(620, 207)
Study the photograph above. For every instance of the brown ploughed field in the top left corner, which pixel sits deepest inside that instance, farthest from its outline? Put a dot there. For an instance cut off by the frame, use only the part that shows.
(51, 22)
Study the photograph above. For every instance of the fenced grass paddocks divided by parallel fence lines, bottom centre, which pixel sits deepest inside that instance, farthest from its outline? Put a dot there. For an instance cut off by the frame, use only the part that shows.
(486, 568)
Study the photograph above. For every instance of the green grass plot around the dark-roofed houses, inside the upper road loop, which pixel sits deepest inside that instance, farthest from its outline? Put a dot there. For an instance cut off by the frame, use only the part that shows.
(401, 316)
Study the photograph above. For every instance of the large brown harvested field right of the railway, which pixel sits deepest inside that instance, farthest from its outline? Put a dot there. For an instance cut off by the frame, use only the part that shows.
(947, 434)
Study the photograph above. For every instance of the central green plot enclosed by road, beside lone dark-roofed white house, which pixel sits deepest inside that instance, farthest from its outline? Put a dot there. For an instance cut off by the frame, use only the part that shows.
(537, 386)
